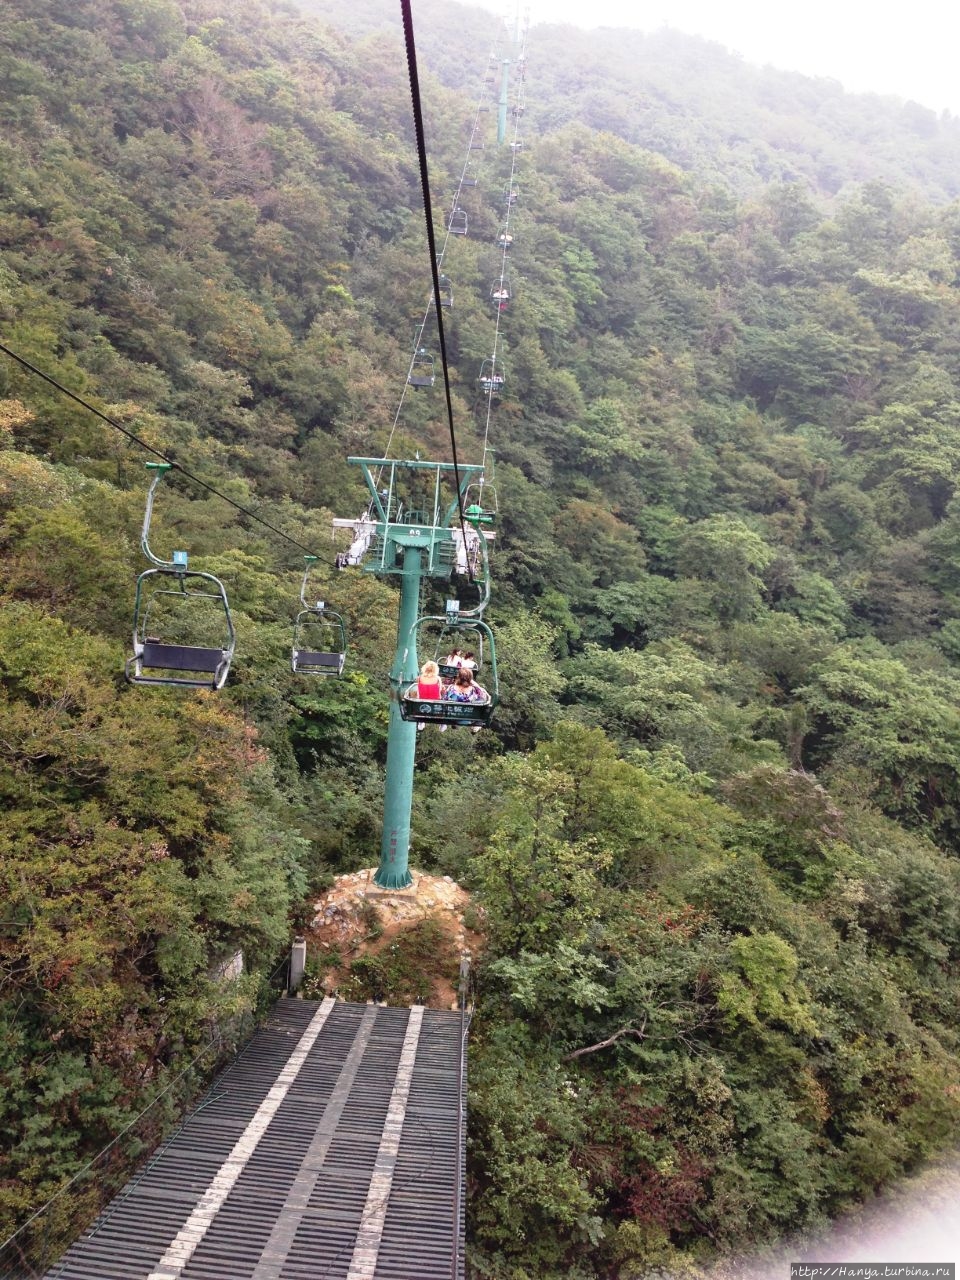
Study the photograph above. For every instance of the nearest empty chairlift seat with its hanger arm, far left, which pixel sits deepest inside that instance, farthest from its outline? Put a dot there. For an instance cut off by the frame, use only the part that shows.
(177, 607)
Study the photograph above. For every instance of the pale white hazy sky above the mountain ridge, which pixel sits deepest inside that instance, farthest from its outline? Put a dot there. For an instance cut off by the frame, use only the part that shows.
(909, 49)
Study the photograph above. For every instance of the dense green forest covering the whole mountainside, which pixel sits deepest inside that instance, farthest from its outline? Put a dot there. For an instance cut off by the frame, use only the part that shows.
(714, 829)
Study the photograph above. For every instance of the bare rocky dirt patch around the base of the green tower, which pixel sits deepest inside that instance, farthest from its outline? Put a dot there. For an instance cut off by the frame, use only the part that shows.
(400, 947)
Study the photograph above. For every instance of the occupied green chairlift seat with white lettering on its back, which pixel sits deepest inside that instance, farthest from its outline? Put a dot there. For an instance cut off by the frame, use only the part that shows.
(454, 628)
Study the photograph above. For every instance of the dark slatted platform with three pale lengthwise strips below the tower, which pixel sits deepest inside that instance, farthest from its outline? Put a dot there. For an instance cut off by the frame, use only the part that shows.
(331, 1150)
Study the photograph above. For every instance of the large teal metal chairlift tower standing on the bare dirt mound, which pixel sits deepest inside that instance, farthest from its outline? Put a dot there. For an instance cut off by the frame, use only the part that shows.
(396, 540)
